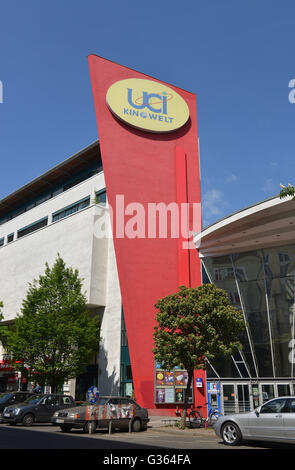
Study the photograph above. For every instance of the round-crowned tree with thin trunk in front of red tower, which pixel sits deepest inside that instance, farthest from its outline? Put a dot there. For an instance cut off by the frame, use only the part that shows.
(194, 324)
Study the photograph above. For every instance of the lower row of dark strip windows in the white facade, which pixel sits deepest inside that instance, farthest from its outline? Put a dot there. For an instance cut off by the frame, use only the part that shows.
(100, 197)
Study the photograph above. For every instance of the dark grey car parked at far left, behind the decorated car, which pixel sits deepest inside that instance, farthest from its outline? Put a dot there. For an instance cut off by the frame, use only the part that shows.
(37, 409)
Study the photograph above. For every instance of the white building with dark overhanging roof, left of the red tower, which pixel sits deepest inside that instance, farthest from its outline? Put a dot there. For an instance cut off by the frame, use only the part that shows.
(57, 213)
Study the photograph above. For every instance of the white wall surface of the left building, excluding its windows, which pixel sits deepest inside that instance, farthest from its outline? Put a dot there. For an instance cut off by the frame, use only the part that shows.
(75, 239)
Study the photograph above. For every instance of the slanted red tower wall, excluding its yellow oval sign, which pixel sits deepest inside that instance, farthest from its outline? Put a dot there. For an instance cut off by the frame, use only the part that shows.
(146, 167)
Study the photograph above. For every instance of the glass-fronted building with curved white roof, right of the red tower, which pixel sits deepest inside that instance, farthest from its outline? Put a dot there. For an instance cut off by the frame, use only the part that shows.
(251, 255)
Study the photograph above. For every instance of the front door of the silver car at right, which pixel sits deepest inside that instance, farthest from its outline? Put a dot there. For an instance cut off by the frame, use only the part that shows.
(269, 422)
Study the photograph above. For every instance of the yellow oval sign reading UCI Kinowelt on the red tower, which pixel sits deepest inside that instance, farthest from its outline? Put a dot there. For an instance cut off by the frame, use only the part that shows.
(147, 105)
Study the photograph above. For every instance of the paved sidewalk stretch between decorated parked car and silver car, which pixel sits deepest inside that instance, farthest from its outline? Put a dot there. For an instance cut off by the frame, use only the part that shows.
(167, 424)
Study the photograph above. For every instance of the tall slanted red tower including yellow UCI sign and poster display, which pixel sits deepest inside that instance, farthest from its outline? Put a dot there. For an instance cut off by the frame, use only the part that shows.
(149, 148)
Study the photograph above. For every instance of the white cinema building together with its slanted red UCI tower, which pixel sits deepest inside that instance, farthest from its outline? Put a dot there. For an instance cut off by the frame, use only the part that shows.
(147, 154)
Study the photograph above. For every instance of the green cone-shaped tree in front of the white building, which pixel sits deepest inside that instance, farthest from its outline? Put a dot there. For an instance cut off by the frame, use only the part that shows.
(54, 337)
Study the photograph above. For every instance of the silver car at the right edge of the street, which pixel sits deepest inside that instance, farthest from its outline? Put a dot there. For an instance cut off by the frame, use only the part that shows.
(273, 421)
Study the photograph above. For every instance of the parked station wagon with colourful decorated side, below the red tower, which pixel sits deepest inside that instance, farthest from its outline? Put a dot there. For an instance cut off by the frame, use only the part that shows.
(121, 411)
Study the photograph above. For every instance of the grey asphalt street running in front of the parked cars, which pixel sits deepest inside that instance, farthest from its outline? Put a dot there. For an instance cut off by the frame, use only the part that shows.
(46, 436)
